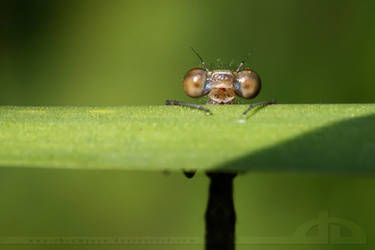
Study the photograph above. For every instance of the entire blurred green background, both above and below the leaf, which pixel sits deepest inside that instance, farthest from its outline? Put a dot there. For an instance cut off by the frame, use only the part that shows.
(136, 53)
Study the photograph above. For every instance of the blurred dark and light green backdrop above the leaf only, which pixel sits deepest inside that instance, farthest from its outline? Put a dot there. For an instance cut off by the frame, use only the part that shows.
(137, 52)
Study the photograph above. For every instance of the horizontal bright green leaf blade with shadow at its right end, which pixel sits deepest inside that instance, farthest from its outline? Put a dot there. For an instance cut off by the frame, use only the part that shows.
(333, 137)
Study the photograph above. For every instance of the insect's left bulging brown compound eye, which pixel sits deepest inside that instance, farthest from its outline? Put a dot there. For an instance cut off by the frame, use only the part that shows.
(195, 82)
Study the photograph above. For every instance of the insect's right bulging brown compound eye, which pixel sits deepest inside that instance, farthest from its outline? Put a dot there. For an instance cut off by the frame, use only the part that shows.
(248, 84)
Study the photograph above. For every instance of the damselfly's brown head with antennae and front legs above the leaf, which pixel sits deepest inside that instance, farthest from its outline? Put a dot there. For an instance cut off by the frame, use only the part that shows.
(221, 85)
